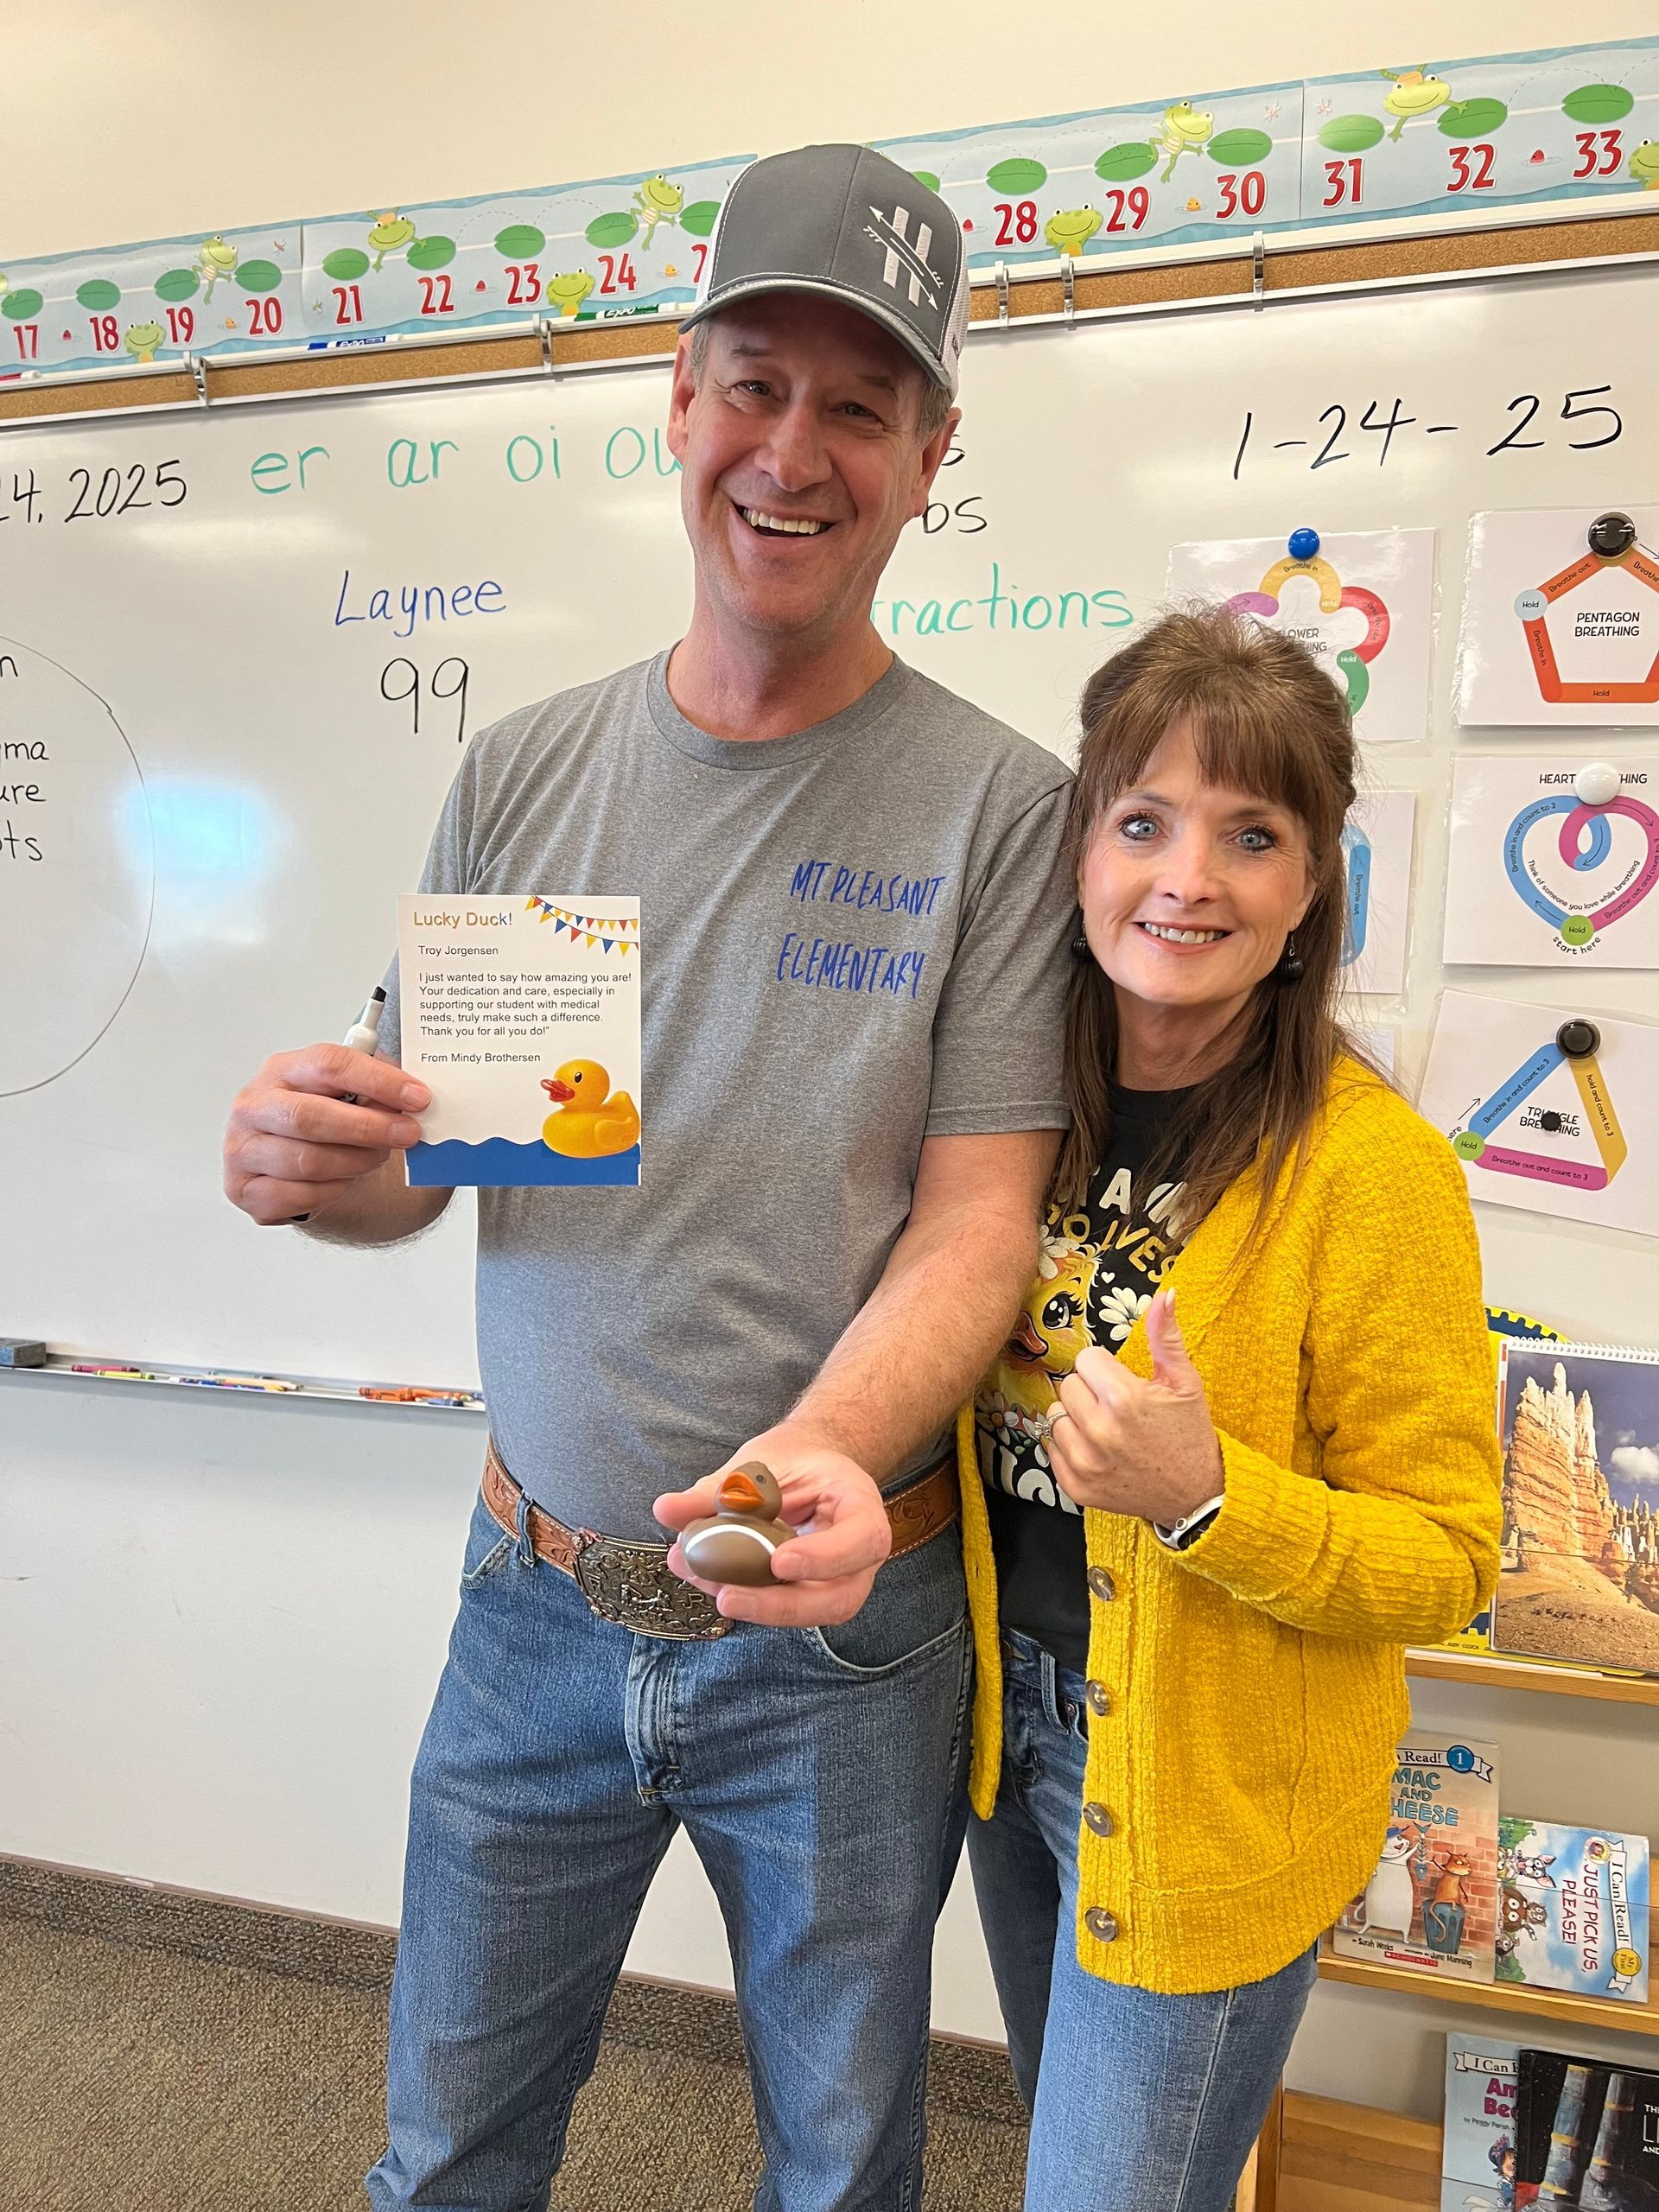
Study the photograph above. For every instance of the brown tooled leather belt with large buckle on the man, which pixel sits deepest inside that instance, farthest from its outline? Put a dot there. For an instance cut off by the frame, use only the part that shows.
(634, 1585)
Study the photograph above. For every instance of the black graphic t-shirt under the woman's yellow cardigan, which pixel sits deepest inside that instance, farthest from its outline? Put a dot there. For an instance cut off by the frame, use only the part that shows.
(1098, 1273)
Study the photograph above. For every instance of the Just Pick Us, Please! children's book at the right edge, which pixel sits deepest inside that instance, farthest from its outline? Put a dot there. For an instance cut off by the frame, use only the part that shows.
(1574, 1908)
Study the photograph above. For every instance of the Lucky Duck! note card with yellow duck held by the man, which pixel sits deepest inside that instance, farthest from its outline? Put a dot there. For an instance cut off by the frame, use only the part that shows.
(523, 1019)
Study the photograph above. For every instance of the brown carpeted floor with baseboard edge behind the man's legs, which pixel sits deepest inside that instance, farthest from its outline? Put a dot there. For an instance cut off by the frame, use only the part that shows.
(165, 2054)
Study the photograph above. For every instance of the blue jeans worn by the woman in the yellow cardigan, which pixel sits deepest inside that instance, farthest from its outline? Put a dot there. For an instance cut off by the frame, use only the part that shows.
(1138, 2103)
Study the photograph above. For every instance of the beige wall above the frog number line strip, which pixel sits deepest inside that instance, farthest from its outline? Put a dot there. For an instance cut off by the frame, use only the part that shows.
(163, 116)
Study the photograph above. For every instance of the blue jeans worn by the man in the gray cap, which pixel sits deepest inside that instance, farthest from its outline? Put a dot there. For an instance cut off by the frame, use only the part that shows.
(817, 1773)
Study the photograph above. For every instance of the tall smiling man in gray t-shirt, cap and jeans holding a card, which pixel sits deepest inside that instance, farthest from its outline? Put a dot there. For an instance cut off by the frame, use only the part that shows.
(855, 968)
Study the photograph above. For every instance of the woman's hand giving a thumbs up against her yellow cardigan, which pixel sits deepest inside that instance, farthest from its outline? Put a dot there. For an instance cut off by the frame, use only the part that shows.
(1134, 1446)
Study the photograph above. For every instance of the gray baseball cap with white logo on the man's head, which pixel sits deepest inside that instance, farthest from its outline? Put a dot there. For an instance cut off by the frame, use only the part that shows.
(855, 227)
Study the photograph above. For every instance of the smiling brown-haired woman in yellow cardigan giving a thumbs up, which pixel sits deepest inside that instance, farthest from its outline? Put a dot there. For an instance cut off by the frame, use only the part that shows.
(1235, 1457)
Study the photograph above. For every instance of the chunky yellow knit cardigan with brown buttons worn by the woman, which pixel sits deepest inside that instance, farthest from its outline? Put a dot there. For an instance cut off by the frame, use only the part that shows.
(1258, 1682)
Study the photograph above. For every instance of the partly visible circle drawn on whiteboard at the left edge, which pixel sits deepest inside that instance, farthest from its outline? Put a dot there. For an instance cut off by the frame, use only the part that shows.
(76, 868)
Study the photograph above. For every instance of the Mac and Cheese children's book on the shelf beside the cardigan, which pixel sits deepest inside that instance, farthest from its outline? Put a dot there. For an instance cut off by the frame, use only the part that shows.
(1432, 1901)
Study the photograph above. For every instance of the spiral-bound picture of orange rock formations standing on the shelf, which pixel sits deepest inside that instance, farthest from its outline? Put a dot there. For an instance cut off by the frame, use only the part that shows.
(1580, 1565)
